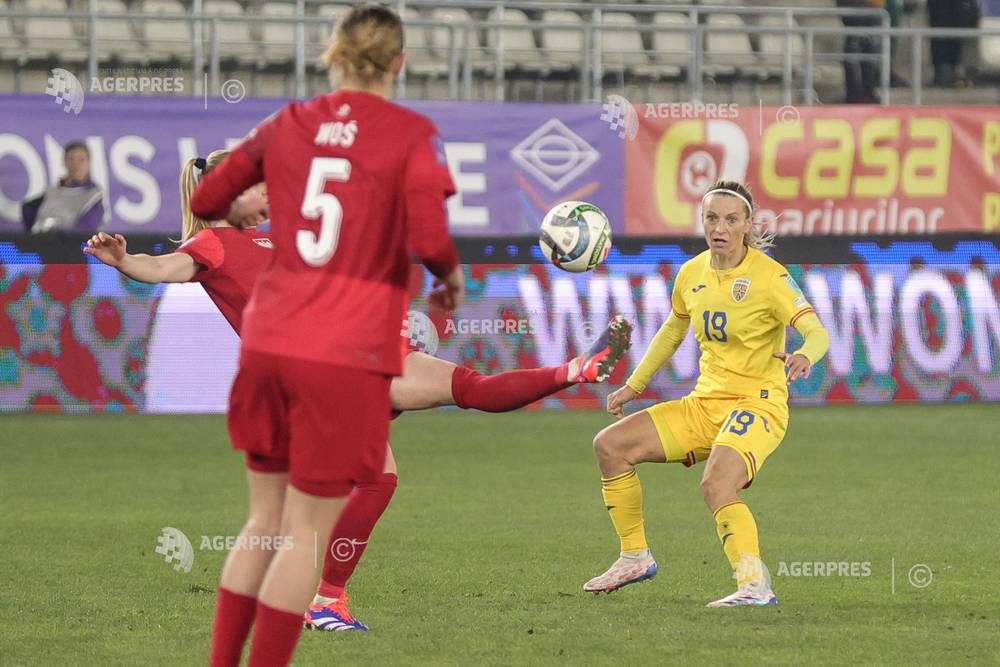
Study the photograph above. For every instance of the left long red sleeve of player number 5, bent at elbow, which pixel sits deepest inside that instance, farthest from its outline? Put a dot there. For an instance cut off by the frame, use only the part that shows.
(243, 168)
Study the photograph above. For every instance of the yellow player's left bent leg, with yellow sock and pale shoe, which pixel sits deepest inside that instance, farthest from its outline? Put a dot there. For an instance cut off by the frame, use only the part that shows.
(619, 448)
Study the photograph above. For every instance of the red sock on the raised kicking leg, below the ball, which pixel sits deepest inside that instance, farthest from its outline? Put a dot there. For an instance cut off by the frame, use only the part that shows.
(506, 391)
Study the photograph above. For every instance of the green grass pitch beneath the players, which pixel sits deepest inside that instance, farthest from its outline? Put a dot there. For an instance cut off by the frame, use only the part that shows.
(497, 523)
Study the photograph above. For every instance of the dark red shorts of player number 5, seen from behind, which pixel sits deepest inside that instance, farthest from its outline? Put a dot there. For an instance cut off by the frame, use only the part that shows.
(326, 425)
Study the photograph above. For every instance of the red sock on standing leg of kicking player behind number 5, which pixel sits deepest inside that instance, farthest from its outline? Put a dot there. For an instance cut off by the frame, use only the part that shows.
(350, 535)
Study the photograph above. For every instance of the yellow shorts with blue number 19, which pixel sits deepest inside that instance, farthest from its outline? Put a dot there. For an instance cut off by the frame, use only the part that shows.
(690, 427)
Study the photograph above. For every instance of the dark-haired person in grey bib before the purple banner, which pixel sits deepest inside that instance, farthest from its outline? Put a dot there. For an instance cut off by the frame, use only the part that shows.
(74, 203)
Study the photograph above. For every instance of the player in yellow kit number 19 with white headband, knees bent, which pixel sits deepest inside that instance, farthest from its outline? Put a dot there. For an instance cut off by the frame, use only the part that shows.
(739, 302)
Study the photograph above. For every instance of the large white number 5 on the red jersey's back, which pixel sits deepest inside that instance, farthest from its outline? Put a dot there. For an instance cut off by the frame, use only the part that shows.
(316, 250)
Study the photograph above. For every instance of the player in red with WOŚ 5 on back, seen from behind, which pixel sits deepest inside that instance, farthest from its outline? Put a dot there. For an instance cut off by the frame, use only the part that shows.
(349, 176)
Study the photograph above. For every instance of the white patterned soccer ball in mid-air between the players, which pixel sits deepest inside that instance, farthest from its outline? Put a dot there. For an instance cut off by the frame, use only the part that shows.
(575, 236)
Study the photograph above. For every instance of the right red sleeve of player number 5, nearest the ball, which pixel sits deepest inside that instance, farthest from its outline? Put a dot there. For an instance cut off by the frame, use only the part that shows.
(427, 184)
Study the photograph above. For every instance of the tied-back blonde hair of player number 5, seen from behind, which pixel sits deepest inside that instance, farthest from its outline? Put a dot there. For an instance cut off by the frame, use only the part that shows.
(365, 42)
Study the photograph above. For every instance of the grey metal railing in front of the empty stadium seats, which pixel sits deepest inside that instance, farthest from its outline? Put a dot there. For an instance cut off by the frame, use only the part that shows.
(464, 57)
